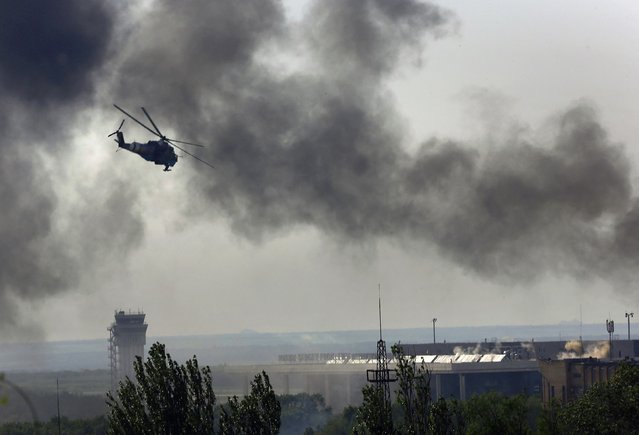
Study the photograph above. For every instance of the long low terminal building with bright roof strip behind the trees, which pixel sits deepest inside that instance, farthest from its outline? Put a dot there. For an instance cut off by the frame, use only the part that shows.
(458, 370)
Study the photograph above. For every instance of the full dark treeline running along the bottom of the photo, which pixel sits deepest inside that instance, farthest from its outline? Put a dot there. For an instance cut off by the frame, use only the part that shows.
(179, 399)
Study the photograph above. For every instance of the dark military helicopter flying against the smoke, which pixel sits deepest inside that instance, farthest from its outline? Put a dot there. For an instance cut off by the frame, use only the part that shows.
(160, 151)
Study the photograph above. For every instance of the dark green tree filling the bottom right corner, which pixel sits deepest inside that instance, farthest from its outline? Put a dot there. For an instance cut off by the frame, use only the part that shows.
(606, 408)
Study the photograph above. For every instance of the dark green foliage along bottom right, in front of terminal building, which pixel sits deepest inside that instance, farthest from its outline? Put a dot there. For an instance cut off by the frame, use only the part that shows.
(606, 408)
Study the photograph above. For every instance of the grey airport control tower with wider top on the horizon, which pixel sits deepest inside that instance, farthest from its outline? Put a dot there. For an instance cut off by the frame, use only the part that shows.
(127, 337)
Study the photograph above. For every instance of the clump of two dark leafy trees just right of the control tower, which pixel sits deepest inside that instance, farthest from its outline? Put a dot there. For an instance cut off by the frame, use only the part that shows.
(170, 398)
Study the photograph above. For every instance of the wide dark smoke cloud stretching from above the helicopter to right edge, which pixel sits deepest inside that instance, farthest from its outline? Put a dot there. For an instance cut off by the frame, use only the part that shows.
(323, 146)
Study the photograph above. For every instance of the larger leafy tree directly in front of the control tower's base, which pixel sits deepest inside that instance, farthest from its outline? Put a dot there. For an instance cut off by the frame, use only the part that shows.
(168, 398)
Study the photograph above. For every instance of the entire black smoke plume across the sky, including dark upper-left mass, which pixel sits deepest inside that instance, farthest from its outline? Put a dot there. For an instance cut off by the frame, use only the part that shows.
(303, 132)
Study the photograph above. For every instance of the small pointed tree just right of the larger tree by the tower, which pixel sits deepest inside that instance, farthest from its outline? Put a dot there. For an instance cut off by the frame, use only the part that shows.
(257, 413)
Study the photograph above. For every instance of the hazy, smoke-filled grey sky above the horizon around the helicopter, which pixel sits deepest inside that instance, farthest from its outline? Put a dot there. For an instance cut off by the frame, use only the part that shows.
(477, 159)
